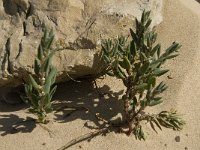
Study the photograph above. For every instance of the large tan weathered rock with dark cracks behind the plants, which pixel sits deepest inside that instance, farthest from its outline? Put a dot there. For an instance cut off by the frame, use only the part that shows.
(81, 24)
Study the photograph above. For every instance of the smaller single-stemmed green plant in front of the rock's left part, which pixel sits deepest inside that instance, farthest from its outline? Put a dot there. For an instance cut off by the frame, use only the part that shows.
(39, 90)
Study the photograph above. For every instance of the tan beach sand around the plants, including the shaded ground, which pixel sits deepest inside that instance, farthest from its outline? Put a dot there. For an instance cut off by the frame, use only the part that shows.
(182, 24)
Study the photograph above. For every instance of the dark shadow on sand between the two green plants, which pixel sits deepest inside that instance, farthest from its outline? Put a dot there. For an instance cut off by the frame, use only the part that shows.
(83, 101)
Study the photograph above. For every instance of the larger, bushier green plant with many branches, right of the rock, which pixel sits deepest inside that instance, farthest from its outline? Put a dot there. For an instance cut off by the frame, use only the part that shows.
(138, 64)
